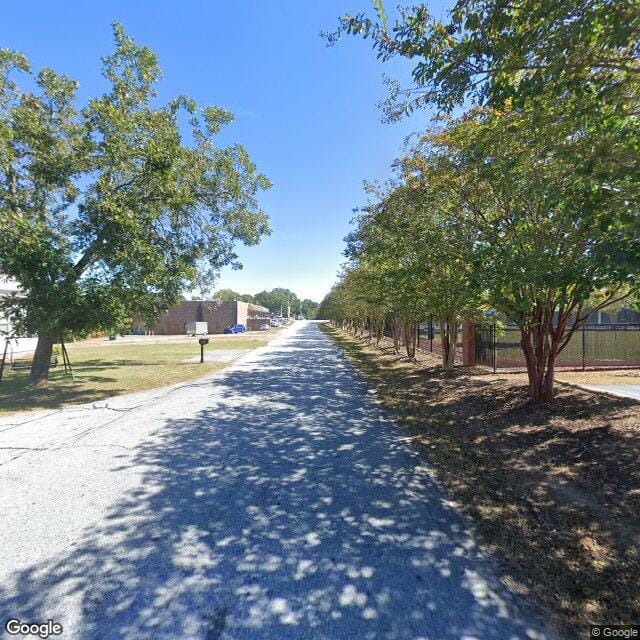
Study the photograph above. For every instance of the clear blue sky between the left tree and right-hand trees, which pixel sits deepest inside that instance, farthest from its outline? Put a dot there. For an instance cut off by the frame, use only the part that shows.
(306, 113)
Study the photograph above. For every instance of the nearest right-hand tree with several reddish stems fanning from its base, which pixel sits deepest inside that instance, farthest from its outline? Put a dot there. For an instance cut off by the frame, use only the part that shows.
(554, 243)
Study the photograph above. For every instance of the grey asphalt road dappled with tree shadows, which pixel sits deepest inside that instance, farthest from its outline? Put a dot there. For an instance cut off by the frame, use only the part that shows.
(271, 500)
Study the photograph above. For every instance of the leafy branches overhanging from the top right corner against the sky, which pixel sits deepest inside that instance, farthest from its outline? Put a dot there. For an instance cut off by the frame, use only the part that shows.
(490, 51)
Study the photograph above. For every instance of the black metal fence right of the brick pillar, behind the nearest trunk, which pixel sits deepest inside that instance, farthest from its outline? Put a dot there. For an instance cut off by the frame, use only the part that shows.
(591, 346)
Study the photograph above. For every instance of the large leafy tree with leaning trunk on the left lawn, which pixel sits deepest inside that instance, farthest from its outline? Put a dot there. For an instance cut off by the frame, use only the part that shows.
(106, 210)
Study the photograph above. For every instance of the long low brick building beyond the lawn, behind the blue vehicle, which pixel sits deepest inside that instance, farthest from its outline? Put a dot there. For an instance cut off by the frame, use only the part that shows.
(218, 314)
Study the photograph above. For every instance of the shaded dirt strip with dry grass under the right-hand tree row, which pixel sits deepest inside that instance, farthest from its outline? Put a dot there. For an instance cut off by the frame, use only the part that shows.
(554, 491)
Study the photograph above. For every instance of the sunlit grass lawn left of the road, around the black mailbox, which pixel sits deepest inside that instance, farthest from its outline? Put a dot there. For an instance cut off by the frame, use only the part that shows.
(112, 369)
